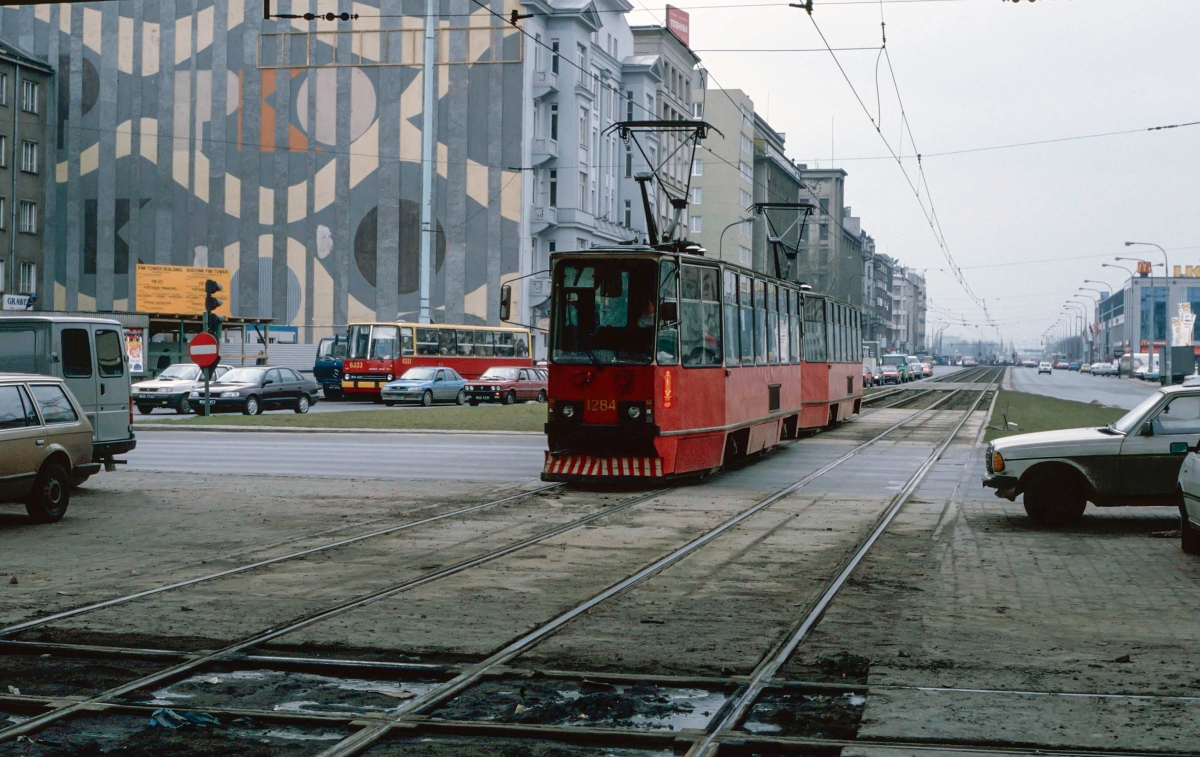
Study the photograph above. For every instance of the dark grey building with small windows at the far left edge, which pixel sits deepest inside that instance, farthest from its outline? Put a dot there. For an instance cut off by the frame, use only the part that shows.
(27, 100)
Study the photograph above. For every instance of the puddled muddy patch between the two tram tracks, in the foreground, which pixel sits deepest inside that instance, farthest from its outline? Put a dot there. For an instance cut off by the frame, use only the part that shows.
(286, 692)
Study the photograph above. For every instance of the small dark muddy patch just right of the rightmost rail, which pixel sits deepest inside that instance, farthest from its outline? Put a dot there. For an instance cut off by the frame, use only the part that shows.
(815, 716)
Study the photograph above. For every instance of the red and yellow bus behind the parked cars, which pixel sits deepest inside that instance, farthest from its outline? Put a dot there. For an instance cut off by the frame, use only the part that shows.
(380, 352)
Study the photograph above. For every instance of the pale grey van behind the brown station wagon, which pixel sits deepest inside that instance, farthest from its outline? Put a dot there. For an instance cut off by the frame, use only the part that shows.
(89, 356)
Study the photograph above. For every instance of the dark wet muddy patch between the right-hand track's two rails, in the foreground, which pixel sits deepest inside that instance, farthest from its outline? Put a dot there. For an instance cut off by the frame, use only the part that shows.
(586, 704)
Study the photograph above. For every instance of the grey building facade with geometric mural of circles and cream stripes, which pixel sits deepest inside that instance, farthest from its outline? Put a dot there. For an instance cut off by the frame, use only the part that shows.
(193, 133)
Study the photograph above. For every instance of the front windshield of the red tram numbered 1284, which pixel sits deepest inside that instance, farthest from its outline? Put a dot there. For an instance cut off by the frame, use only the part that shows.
(605, 313)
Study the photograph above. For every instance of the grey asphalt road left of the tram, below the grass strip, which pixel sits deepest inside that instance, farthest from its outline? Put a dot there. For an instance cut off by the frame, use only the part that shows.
(469, 458)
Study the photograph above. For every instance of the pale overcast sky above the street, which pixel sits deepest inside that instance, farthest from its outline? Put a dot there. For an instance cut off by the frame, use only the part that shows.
(976, 74)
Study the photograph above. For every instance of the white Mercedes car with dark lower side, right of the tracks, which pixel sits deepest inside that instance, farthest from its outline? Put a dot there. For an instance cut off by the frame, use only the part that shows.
(1135, 461)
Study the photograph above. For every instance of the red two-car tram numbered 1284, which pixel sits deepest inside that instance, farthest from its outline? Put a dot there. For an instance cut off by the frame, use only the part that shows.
(668, 364)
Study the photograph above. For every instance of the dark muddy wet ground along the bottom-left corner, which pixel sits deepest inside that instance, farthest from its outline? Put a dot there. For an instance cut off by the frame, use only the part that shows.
(125, 735)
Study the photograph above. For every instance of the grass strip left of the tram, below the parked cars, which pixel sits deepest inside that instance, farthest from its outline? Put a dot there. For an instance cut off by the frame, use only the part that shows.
(485, 418)
